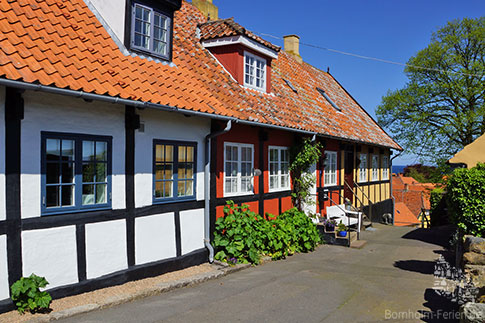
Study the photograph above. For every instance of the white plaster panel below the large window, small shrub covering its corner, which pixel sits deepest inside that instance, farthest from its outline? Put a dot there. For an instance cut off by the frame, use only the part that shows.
(51, 253)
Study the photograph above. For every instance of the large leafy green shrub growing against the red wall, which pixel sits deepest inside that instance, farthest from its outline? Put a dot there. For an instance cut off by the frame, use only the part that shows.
(246, 236)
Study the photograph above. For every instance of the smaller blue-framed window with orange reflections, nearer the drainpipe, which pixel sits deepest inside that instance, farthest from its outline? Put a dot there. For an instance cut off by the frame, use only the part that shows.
(174, 170)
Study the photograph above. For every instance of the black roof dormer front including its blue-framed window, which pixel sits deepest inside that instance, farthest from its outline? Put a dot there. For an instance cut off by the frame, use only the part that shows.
(151, 27)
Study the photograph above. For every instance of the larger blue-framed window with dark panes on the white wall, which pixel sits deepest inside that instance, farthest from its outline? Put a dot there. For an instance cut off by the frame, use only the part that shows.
(76, 172)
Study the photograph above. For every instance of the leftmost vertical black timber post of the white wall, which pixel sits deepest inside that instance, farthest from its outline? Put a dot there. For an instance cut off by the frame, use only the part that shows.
(14, 113)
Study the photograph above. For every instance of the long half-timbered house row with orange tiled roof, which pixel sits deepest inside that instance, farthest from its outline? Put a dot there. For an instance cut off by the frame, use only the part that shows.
(127, 125)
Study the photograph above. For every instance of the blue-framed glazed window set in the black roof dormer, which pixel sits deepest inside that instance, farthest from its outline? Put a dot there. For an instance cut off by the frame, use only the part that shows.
(150, 30)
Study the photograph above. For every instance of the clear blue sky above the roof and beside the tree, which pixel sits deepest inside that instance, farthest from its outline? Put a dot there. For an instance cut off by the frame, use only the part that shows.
(388, 29)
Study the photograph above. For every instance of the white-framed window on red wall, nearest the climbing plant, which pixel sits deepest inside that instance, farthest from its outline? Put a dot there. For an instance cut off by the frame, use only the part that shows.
(279, 168)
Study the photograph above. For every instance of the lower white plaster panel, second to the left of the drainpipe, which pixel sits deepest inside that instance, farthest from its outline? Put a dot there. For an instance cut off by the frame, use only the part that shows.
(155, 238)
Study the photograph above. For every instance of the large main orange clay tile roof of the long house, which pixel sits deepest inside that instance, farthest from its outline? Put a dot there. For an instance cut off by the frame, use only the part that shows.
(62, 44)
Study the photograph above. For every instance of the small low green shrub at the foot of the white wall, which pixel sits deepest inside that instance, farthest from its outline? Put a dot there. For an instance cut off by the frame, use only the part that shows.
(26, 294)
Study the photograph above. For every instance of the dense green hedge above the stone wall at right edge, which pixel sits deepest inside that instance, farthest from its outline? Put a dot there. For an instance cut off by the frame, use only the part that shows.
(466, 199)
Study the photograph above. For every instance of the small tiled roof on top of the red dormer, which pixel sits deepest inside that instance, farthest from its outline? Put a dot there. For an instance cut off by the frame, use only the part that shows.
(228, 27)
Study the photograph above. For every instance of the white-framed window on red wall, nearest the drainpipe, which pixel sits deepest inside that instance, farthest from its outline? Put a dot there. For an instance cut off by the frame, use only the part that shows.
(238, 169)
